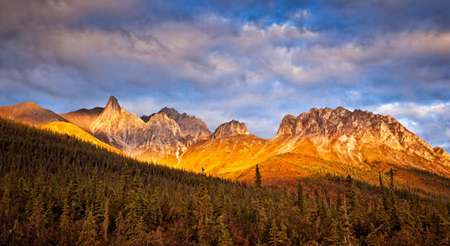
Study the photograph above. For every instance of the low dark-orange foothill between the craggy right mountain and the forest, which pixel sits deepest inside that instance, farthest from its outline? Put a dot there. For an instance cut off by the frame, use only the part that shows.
(289, 167)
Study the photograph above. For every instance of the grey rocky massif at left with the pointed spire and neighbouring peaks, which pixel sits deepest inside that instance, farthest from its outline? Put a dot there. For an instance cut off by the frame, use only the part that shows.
(162, 137)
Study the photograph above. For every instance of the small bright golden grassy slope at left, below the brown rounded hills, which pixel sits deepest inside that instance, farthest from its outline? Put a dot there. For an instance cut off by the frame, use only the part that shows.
(75, 131)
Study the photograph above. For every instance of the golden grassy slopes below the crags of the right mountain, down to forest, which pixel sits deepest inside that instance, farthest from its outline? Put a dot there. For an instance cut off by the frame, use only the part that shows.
(284, 160)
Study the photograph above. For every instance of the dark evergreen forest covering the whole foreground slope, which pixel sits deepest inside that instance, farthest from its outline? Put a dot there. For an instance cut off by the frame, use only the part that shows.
(56, 189)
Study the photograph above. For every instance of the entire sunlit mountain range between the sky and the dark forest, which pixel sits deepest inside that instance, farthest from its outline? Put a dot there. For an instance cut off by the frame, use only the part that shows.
(315, 143)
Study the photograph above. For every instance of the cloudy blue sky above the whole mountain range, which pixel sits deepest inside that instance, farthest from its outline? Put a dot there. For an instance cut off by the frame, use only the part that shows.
(248, 60)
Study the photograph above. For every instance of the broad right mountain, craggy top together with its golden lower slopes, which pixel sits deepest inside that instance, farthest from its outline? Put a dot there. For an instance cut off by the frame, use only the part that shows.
(327, 141)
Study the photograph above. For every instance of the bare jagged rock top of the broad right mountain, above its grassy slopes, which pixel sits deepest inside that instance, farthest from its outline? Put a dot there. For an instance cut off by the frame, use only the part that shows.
(345, 132)
